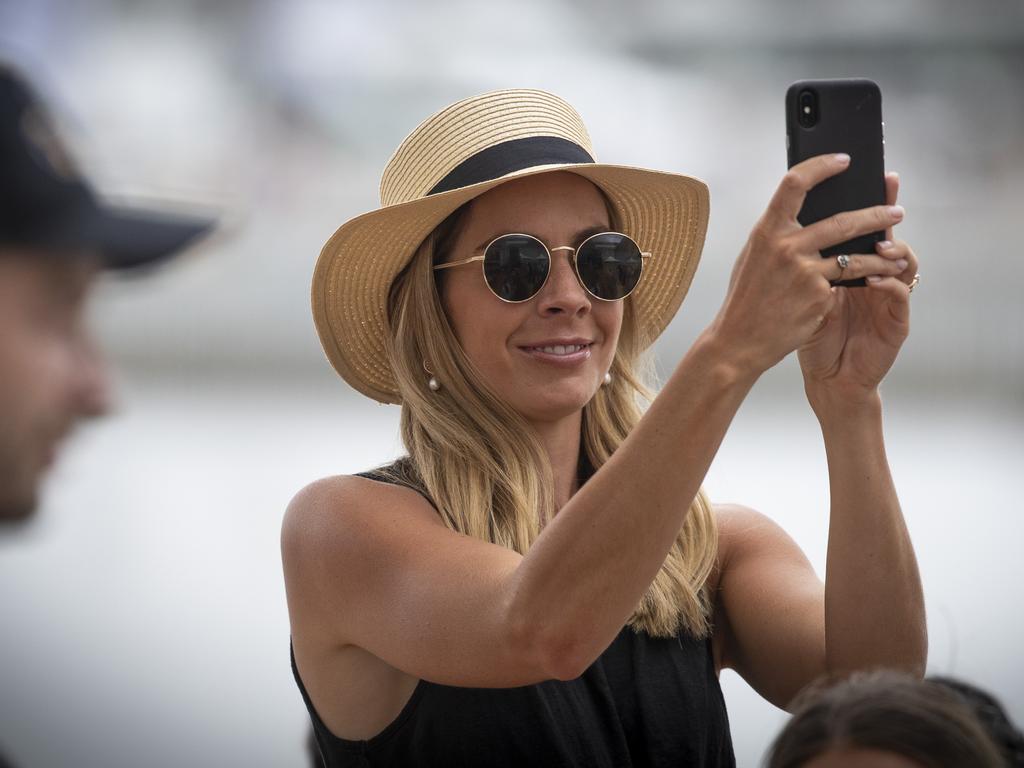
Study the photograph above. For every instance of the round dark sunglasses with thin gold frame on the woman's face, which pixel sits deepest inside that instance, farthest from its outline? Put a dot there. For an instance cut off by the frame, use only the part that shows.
(517, 267)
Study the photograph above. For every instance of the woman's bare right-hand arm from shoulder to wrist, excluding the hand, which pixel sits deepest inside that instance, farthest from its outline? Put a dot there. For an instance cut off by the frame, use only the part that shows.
(778, 625)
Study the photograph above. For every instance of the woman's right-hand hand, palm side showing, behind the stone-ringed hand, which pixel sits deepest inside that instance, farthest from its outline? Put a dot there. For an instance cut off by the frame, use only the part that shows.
(864, 331)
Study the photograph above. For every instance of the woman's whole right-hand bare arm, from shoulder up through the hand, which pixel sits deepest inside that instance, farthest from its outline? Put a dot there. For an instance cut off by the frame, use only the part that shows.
(871, 611)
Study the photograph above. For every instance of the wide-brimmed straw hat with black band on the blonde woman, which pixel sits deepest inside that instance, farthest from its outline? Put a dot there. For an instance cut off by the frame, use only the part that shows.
(459, 154)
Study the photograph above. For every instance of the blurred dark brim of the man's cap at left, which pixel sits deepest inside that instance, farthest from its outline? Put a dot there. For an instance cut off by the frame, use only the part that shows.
(129, 238)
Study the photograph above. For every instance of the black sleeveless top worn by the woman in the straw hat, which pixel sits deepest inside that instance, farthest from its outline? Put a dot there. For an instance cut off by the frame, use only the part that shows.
(645, 702)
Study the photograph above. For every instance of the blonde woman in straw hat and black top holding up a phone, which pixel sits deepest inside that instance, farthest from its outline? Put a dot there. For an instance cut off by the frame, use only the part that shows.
(543, 581)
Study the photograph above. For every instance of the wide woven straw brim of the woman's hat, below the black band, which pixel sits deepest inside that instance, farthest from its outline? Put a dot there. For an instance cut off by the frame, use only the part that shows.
(666, 214)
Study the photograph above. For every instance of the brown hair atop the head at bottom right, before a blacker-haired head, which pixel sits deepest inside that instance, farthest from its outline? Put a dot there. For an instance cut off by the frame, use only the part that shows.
(889, 712)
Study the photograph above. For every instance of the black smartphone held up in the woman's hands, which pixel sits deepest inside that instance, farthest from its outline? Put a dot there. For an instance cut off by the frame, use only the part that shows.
(825, 117)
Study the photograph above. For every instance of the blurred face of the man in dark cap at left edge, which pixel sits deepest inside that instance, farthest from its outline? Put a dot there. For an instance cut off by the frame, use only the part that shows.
(53, 373)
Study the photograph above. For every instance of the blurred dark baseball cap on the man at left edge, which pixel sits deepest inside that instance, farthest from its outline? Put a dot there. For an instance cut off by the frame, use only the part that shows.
(47, 203)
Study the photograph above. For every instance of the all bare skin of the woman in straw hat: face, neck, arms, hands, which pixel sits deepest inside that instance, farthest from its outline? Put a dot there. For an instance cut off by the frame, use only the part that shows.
(381, 594)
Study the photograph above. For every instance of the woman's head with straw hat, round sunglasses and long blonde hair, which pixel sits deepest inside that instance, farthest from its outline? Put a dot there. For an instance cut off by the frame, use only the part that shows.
(481, 355)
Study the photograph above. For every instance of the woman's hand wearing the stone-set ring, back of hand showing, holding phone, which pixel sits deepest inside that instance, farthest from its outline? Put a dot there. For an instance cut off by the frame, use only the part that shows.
(780, 291)
